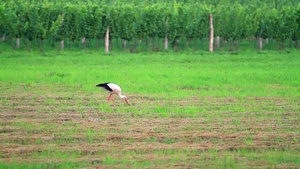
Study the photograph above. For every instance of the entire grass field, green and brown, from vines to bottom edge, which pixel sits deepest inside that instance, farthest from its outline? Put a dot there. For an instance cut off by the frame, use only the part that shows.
(188, 110)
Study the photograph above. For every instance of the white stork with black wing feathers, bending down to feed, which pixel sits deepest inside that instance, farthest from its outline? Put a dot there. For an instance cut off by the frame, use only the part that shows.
(113, 89)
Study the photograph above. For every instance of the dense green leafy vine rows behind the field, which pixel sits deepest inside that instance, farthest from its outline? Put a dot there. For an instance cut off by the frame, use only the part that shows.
(132, 21)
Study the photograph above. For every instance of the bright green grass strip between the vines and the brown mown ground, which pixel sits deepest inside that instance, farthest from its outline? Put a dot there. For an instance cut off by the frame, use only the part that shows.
(176, 74)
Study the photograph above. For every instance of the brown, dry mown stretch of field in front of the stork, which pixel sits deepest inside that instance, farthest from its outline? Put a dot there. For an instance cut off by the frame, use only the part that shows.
(33, 124)
